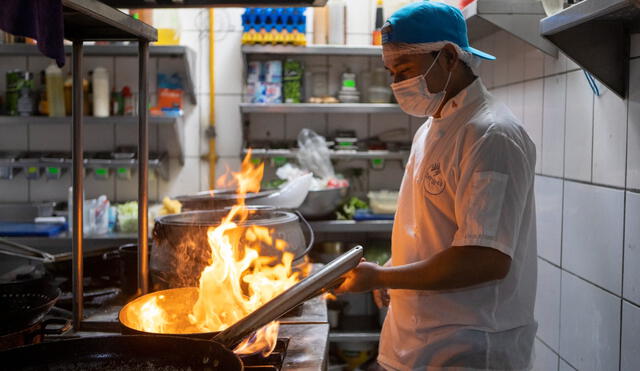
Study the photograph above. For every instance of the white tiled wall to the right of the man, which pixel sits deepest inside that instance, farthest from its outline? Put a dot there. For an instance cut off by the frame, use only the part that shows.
(588, 204)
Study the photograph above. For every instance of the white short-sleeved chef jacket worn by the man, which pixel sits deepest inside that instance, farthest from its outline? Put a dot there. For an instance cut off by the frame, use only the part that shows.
(468, 182)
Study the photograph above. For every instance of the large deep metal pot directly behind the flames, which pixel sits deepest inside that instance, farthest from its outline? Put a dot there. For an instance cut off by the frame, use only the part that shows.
(180, 249)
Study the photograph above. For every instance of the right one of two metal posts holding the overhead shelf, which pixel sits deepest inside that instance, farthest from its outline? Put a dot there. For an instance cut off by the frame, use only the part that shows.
(143, 169)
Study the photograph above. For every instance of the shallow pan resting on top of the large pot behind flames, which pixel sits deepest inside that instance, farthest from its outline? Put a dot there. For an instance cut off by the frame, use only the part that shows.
(218, 199)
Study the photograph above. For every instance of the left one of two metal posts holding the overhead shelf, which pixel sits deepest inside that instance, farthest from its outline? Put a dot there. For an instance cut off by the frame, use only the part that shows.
(78, 186)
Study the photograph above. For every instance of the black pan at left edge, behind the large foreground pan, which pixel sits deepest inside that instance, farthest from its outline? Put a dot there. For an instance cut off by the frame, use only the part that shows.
(22, 304)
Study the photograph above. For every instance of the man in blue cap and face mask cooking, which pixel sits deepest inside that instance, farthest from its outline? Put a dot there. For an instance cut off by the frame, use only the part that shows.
(462, 274)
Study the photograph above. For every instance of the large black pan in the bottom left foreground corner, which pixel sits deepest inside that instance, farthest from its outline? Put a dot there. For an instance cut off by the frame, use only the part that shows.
(137, 352)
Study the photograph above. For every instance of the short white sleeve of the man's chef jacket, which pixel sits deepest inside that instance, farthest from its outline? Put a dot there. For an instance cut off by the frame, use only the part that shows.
(496, 177)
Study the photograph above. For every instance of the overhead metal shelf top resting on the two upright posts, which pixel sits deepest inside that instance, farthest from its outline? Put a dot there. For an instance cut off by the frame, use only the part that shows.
(93, 20)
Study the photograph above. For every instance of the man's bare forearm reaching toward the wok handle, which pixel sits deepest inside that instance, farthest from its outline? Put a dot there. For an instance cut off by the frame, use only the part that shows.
(454, 268)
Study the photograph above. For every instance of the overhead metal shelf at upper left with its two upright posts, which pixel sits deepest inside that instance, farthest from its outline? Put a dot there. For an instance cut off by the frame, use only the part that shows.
(91, 20)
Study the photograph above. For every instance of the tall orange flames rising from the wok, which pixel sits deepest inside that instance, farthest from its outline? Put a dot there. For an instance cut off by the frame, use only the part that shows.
(238, 280)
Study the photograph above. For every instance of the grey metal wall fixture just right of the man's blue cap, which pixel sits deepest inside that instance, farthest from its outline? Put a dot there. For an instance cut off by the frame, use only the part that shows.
(520, 18)
